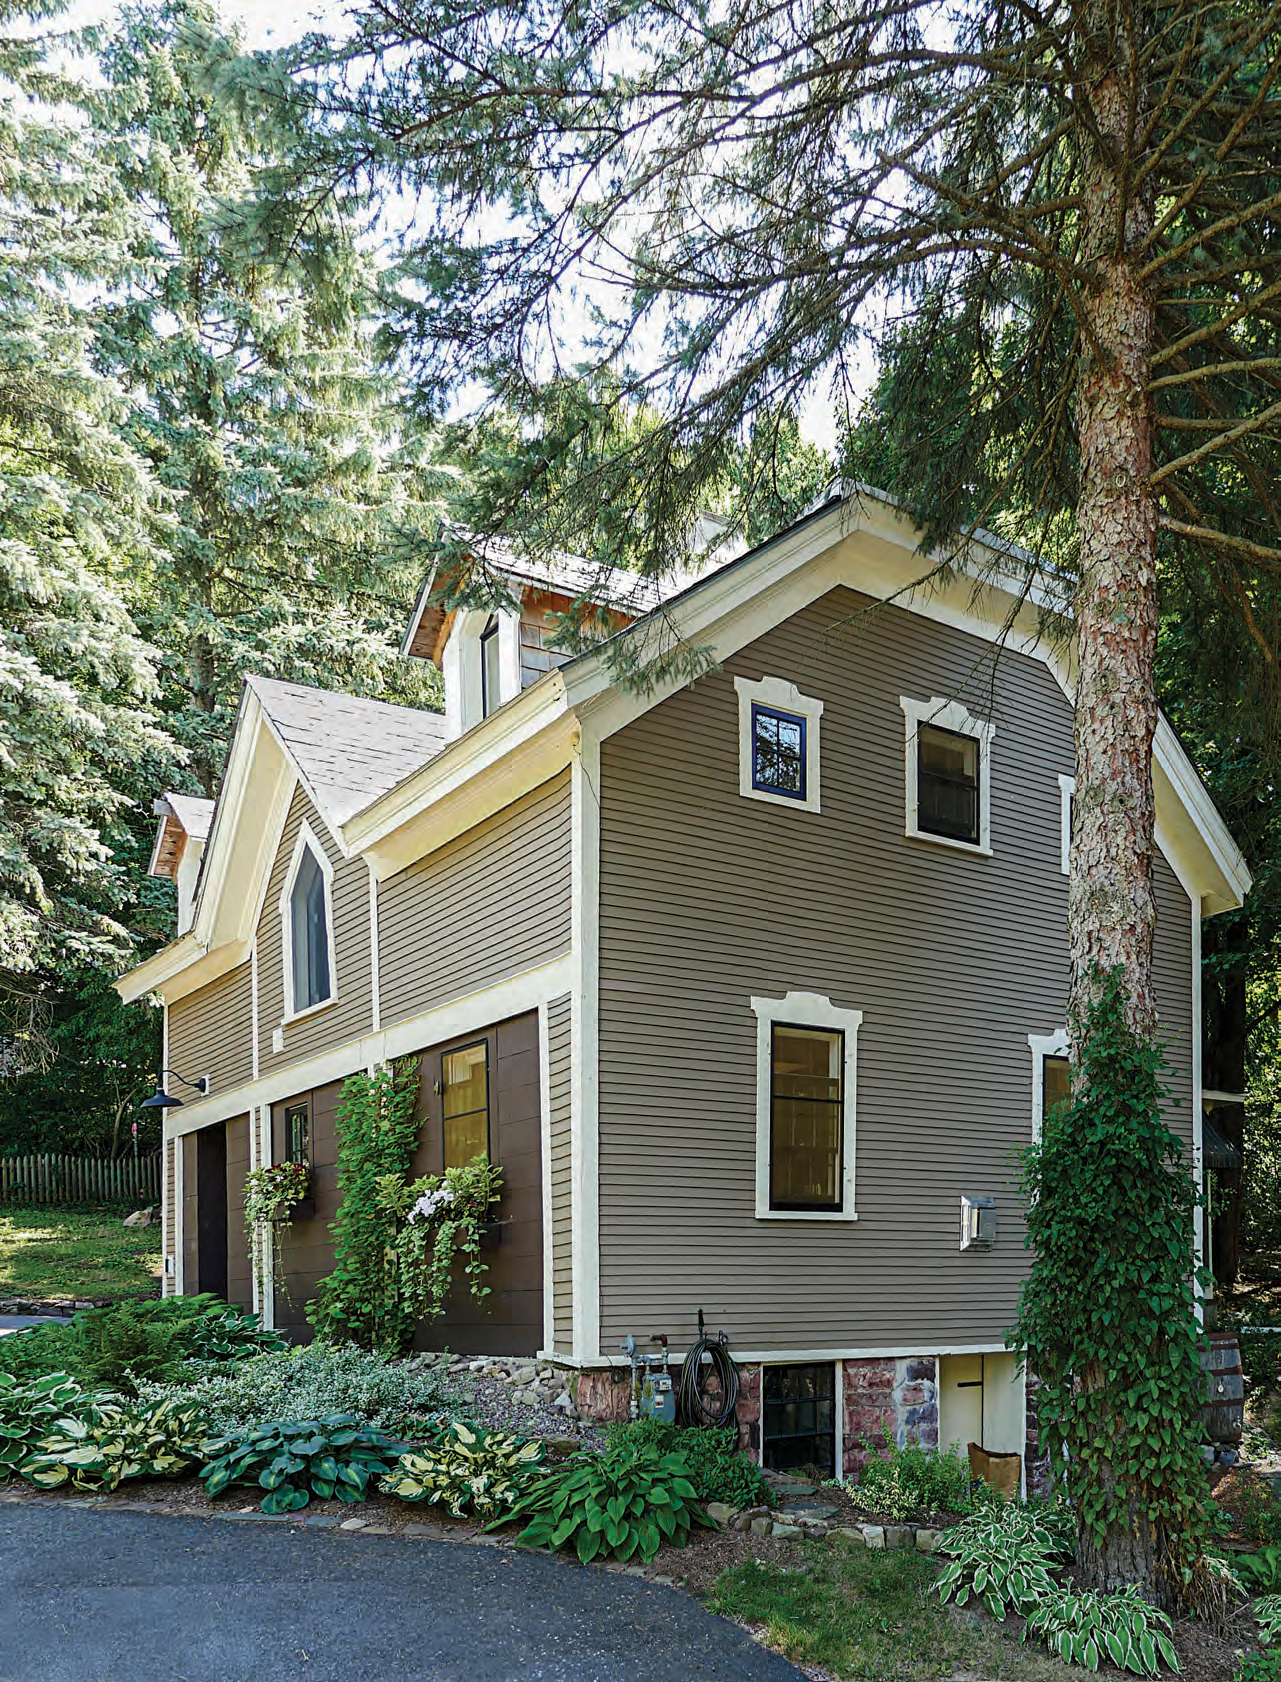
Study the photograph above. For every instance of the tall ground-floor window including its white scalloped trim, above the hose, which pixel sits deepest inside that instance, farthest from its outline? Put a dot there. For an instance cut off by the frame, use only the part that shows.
(806, 1061)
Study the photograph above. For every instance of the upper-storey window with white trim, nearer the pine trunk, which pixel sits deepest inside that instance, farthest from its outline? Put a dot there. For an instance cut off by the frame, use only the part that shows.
(947, 775)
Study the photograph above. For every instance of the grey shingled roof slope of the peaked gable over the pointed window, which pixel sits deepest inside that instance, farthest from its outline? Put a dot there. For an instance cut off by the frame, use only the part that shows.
(347, 751)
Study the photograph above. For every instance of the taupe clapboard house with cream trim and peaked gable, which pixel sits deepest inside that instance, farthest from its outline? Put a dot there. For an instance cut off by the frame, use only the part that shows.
(754, 983)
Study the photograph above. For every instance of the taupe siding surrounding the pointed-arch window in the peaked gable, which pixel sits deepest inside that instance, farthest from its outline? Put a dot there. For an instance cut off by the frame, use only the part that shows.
(352, 1012)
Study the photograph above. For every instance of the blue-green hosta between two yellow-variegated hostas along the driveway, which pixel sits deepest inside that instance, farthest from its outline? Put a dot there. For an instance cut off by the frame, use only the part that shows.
(332, 1459)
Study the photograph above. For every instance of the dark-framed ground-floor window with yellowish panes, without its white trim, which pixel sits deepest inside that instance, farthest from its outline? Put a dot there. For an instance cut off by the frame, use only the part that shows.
(808, 1114)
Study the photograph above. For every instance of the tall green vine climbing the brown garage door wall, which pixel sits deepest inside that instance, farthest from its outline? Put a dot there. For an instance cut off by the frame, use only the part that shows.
(377, 1138)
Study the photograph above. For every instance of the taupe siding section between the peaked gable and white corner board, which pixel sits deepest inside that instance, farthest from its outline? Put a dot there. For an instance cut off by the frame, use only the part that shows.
(488, 906)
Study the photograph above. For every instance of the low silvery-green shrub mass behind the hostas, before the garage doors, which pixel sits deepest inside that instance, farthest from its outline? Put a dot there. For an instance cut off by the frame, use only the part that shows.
(310, 1383)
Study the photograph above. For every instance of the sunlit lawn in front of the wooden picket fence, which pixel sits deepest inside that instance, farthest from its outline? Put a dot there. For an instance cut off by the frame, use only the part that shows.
(50, 1252)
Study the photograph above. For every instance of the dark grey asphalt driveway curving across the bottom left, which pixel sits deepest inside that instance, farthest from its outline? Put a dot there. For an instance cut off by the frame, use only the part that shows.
(105, 1597)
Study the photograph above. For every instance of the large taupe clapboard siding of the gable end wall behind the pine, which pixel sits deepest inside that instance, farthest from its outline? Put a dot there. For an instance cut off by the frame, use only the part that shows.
(709, 899)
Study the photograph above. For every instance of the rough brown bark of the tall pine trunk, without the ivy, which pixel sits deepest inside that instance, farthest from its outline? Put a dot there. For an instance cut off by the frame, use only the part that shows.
(1112, 906)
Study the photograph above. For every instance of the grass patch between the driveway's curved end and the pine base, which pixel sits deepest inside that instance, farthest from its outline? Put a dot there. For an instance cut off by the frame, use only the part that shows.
(873, 1617)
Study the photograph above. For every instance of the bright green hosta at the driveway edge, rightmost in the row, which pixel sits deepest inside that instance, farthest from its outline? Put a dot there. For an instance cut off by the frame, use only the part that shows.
(628, 1503)
